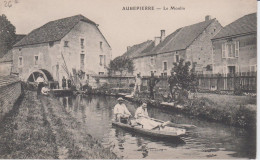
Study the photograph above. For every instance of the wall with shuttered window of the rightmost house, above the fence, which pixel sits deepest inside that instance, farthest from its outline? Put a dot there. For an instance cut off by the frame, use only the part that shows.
(237, 52)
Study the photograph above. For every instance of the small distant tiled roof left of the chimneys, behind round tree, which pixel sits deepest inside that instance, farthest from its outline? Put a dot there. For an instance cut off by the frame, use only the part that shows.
(139, 49)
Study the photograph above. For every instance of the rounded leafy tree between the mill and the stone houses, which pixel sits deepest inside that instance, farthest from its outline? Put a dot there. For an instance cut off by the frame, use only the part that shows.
(121, 64)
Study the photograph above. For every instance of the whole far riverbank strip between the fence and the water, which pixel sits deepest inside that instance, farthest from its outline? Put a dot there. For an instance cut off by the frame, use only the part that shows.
(239, 111)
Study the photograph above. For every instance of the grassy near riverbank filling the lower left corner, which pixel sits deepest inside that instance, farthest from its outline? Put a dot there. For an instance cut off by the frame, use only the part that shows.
(41, 128)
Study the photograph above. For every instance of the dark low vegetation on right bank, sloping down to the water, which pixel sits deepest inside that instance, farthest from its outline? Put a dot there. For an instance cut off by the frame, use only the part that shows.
(231, 115)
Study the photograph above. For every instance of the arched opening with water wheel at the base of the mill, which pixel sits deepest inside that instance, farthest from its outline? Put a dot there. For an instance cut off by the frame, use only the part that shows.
(35, 74)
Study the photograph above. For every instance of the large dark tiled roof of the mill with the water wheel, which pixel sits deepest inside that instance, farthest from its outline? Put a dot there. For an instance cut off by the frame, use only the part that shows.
(52, 31)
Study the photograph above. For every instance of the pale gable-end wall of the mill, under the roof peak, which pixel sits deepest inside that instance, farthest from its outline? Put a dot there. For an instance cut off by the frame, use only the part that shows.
(87, 40)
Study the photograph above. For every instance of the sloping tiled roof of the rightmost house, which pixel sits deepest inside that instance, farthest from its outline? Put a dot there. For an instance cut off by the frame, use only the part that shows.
(244, 25)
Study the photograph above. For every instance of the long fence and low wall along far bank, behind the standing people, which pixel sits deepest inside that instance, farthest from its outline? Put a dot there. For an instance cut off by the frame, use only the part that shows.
(245, 81)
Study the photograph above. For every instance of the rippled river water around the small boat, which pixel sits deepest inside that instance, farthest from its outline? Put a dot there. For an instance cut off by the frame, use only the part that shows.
(208, 140)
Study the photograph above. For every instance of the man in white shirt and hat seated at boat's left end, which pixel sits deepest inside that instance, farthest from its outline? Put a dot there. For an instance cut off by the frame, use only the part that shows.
(121, 112)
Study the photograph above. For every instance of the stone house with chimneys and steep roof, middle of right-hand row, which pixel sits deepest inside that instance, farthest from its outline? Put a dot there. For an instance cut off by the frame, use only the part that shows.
(191, 43)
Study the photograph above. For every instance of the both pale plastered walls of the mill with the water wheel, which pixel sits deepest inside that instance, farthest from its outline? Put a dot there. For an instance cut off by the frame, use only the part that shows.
(95, 48)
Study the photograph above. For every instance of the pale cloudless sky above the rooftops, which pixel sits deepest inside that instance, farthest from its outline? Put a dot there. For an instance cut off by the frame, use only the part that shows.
(125, 28)
